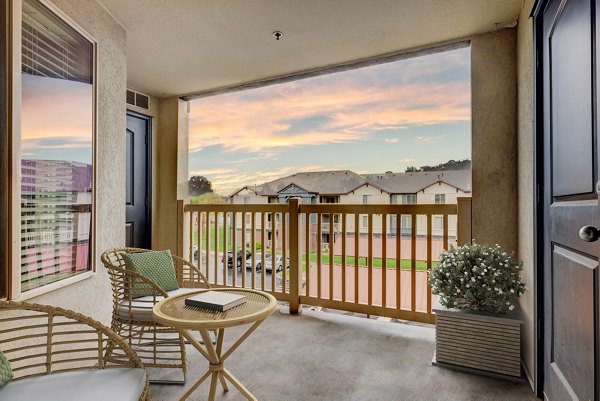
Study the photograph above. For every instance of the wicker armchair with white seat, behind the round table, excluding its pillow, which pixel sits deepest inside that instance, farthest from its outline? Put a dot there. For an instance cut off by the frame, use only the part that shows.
(158, 346)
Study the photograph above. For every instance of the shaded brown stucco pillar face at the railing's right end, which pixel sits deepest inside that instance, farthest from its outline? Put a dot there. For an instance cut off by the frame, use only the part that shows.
(494, 138)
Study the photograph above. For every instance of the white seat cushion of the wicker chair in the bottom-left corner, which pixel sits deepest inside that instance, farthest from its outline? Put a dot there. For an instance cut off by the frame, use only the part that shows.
(118, 384)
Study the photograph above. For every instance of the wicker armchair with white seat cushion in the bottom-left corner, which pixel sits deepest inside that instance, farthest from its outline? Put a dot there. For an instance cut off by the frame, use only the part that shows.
(64, 355)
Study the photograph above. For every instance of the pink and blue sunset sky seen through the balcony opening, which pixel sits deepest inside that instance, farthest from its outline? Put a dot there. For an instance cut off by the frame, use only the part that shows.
(380, 118)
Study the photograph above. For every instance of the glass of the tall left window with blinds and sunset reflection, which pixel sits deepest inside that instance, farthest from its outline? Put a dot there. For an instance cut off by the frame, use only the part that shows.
(57, 136)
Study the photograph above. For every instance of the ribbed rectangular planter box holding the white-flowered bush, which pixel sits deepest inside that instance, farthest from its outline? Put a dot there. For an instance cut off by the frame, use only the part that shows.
(478, 342)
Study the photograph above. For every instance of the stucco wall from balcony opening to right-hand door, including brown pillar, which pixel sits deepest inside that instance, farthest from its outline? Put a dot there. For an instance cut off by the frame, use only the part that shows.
(502, 152)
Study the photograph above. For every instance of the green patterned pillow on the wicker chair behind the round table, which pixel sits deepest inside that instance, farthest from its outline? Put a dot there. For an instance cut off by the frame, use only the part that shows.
(156, 265)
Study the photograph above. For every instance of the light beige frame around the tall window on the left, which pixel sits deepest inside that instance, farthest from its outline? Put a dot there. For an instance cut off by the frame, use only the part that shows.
(15, 134)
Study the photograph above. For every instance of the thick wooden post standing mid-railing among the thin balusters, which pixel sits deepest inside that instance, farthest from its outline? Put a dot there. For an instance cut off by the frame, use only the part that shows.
(295, 256)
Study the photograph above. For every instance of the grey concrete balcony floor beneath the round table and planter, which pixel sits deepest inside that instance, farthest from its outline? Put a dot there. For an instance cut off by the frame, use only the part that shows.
(330, 356)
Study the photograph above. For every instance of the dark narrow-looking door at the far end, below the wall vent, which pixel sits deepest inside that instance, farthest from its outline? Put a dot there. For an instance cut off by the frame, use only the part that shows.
(137, 182)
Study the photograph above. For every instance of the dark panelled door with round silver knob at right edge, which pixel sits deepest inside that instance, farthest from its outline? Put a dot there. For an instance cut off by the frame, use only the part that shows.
(570, 268)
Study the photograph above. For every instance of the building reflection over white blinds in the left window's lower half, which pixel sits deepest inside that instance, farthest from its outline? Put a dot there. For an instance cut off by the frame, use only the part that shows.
(56, 200)
